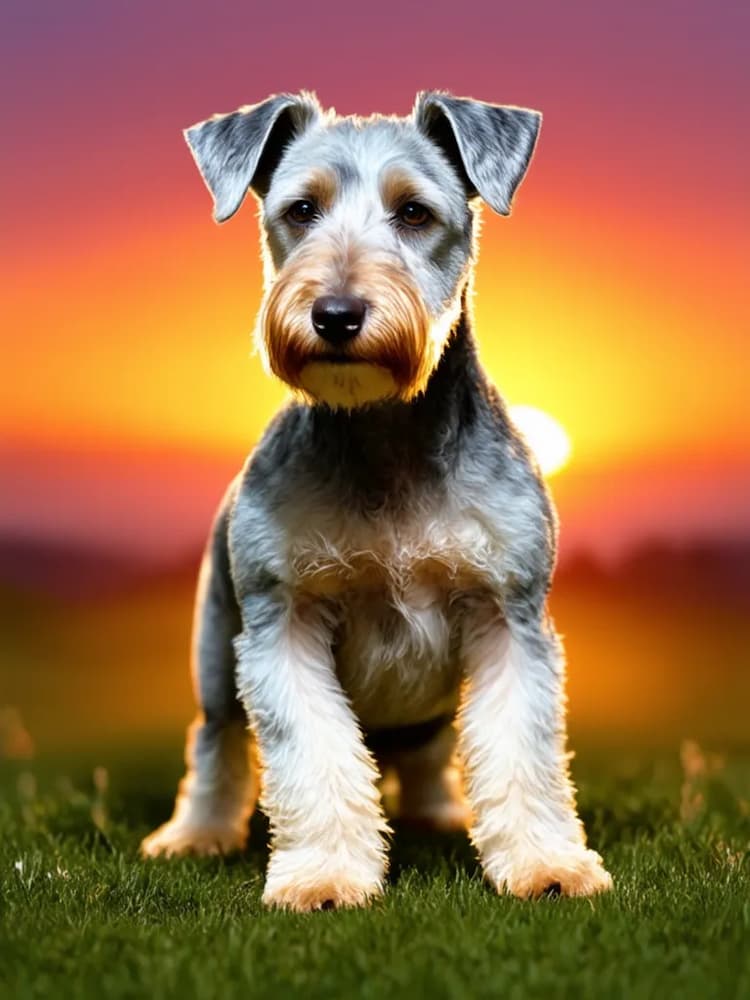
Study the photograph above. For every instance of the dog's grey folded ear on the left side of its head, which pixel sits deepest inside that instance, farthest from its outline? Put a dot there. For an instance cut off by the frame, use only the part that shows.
(240, 150)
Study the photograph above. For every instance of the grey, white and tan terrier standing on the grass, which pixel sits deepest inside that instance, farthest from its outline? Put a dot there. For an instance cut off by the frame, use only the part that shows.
(373, 597)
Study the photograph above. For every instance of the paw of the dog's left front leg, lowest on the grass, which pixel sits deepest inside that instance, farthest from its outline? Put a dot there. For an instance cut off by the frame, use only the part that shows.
(295, 882)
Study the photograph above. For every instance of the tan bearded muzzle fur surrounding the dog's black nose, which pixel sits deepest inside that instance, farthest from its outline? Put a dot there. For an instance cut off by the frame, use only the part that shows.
(391, 358)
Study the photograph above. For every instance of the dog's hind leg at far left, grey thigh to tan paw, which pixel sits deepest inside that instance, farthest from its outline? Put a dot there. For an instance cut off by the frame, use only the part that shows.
(218, 793)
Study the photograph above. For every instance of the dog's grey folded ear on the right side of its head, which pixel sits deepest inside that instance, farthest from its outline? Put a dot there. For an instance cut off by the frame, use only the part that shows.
(489, 144)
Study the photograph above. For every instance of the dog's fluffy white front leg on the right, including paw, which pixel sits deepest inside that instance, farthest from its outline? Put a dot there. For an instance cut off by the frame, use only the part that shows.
(512, 740)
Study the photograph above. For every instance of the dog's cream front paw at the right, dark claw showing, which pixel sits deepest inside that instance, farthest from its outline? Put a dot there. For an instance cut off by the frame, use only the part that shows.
(580, 873)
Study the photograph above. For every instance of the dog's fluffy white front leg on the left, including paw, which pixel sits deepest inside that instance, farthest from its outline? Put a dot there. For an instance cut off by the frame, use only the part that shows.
(319, 780)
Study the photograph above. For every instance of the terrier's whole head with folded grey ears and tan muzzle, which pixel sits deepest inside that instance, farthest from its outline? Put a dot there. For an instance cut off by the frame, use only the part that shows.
(368, 229)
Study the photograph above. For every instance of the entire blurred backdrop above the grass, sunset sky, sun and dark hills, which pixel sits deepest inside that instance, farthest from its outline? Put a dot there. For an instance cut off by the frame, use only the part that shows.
(612, 306)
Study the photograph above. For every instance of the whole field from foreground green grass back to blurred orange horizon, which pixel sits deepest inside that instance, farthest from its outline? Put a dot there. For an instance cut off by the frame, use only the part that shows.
(90, 755)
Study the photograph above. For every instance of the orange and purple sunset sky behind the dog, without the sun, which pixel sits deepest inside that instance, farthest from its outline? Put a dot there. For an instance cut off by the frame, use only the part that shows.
(615, 298)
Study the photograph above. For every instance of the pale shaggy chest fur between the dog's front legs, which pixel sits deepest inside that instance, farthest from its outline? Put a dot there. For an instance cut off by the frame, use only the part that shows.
(398, 590)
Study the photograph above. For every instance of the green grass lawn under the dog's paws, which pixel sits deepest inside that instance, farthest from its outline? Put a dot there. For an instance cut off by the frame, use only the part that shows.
(82, 916)
